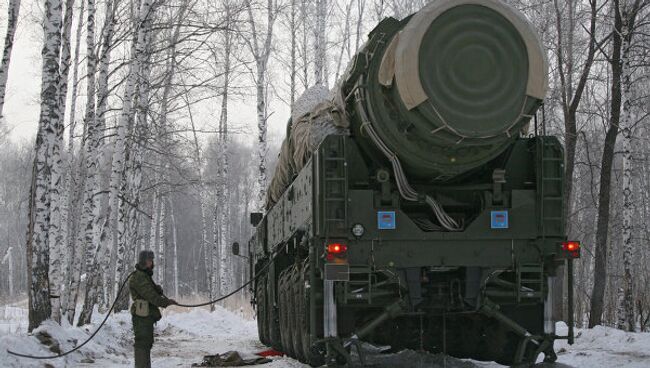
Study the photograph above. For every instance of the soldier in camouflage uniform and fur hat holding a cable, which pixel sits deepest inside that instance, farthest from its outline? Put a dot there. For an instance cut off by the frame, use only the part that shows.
(147, 296)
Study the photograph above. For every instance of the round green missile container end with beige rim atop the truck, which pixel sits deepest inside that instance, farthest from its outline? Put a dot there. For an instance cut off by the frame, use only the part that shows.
(448, 89)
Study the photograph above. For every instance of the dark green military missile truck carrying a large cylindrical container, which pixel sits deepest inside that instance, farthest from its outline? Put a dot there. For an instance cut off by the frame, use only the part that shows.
(421, 206)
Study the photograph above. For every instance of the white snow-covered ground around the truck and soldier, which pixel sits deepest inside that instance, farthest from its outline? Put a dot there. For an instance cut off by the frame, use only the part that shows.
(184, 337)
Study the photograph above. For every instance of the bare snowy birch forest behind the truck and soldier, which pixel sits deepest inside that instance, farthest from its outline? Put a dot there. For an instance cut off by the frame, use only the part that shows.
(141, 144)
